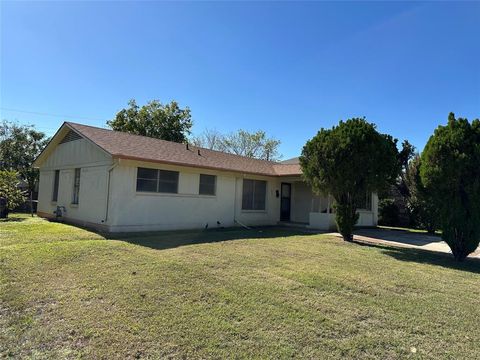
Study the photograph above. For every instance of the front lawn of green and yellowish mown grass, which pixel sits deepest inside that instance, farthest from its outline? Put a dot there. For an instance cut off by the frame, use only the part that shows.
(69, 293)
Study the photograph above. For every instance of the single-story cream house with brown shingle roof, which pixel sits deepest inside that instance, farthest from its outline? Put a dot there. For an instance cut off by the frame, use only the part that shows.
(116, 181)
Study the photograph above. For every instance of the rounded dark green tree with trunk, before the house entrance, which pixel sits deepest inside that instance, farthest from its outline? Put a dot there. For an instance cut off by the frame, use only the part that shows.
(348, 161)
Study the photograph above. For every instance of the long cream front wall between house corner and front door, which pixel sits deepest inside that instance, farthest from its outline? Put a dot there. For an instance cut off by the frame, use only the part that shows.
(130, 210)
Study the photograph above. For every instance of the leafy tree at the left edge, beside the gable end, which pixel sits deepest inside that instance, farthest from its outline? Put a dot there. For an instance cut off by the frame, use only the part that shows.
(19, 147)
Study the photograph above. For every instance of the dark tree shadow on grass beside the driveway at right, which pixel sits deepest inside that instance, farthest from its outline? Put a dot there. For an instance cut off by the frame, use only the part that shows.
(426, 257)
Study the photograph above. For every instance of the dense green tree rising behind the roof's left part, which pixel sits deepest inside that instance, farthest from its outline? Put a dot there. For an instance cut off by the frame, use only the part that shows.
(157, 120)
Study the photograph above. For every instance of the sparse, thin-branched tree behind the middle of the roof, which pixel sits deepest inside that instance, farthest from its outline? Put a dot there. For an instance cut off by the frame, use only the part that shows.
(251, 144)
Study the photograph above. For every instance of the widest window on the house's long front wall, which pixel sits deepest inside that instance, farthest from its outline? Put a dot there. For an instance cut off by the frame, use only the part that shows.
(153, 180)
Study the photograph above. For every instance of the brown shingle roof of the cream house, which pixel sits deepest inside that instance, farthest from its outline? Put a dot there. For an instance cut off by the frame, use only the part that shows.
(136, 147)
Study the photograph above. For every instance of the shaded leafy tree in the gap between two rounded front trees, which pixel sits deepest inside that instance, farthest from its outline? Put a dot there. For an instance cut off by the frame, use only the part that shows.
(423, 211)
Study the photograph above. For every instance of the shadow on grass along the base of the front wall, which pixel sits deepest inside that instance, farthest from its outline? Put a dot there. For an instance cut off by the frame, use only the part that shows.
(161, 240)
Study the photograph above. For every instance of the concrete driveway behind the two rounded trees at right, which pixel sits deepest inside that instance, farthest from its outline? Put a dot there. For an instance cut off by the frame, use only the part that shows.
(404, 238)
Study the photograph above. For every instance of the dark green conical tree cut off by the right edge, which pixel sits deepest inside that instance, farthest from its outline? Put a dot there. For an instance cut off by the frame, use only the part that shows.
(450, 167)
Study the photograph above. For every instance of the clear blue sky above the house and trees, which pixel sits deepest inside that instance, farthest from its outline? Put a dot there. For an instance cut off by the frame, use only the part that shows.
(287, 68)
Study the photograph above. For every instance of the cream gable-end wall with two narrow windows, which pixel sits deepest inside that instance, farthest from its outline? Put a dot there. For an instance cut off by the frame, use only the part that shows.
(94, 164)
